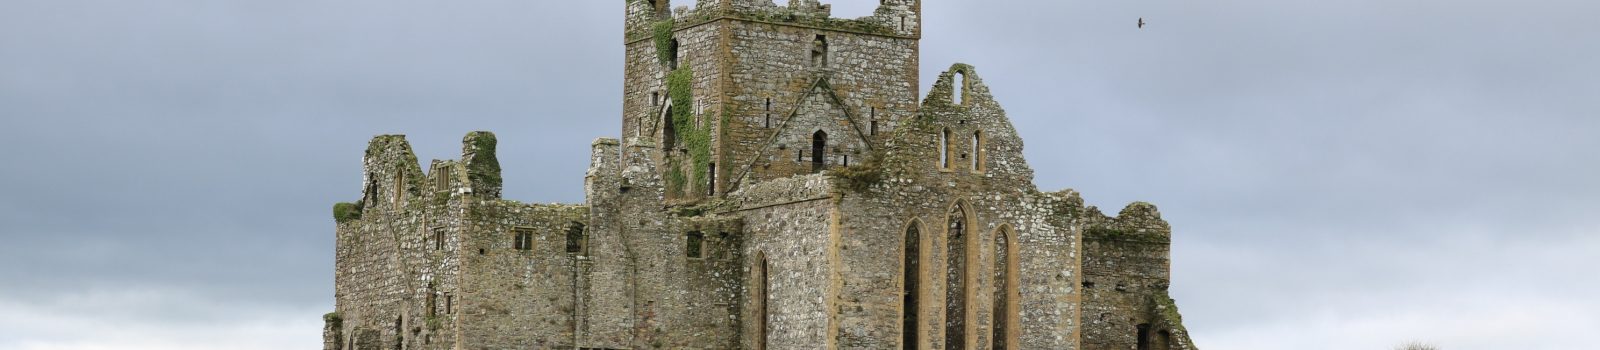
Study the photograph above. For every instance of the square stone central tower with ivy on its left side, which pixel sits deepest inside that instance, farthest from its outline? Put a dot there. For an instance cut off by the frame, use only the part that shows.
(737, 92)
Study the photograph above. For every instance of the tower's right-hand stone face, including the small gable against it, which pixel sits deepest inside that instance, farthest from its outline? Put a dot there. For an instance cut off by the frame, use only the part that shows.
(780, 93)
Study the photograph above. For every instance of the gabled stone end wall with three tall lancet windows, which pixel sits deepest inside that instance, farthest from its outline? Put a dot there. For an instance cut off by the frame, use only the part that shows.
(991, 197)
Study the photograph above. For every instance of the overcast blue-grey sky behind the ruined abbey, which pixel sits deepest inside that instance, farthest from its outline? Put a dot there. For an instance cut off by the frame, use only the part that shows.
(1340, 175)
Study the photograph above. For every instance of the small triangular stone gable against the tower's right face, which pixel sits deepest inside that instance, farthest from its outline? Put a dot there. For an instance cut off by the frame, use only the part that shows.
(817, 135)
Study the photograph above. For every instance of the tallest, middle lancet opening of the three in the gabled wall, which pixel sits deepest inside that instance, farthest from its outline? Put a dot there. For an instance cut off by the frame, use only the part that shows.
(956, 279)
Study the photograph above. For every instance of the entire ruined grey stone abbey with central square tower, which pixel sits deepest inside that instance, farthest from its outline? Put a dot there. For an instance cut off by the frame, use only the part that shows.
(782, 183)
